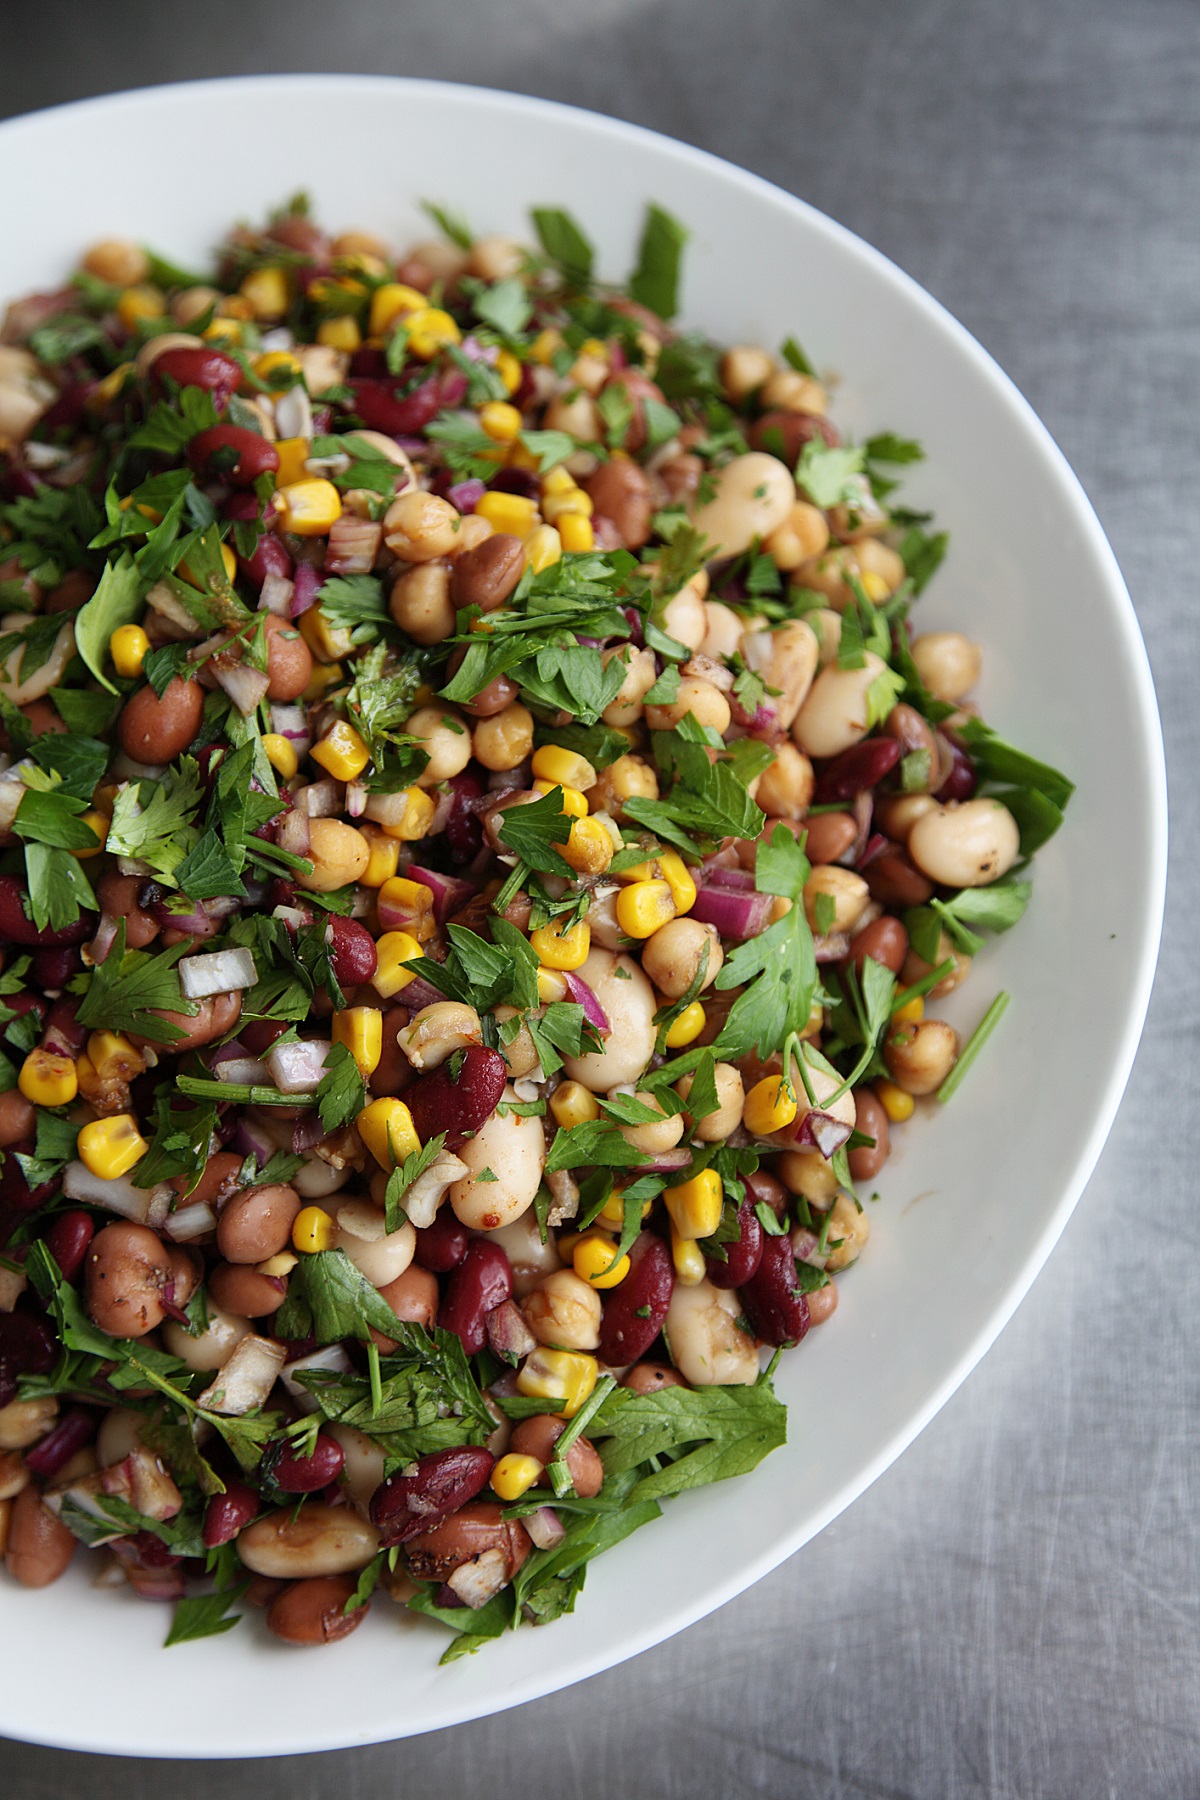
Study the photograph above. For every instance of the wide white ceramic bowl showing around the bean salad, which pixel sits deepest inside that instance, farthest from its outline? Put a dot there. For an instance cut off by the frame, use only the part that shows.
(1030, 575)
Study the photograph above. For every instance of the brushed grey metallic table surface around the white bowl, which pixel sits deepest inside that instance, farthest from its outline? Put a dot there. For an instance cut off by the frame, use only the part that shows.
(1014, 1608)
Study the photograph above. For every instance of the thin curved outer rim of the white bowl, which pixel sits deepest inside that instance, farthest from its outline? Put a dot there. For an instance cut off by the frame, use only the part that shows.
(310, 1738)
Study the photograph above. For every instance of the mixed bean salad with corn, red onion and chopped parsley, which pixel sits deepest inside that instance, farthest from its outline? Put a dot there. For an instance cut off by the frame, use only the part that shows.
(481, 852)
